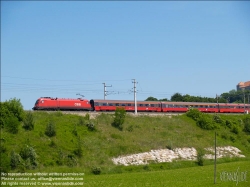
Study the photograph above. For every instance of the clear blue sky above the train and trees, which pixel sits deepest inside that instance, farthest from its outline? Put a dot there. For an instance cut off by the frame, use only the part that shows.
(62, 48)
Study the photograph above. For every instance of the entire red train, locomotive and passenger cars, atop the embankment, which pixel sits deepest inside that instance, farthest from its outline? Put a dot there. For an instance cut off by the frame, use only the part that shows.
(48, 103)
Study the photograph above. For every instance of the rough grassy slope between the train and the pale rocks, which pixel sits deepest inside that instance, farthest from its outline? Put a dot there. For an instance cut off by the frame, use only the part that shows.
(81, 147)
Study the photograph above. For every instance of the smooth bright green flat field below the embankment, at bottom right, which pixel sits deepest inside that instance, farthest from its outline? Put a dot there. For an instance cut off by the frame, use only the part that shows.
(194, 176)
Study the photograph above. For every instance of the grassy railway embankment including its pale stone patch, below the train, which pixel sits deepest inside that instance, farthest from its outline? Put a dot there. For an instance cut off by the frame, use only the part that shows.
(83, 142)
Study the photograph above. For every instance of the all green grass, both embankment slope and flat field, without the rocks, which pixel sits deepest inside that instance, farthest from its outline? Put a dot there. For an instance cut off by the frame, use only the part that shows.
(60, 153)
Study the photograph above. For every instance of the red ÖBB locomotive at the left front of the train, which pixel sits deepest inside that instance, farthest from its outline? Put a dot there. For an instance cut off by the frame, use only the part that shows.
(49, 103)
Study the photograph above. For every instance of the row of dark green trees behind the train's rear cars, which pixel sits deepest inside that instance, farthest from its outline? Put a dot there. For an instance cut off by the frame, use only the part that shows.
(232, 96)
